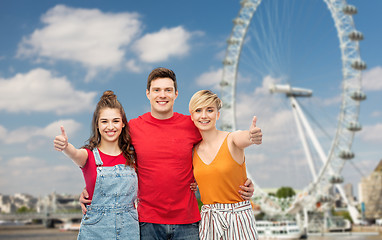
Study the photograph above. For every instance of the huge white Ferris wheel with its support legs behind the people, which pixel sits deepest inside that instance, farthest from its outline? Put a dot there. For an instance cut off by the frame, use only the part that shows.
(347, 124)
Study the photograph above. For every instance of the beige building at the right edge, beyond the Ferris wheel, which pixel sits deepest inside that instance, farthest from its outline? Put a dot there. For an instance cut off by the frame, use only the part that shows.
(370, 190)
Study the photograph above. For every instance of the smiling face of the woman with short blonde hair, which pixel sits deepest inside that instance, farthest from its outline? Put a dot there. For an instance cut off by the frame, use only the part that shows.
(205, 118)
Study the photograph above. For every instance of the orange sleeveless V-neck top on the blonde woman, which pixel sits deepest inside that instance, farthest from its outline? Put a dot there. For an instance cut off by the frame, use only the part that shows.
(220, 180)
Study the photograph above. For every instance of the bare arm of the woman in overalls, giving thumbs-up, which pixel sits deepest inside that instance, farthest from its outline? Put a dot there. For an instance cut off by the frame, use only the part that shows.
(79, 156)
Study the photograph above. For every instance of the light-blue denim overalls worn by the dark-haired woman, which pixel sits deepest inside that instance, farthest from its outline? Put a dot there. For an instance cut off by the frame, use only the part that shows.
(112, 214)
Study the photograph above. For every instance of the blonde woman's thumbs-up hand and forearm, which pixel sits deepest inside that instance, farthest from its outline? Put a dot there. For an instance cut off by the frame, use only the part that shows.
(243, 139)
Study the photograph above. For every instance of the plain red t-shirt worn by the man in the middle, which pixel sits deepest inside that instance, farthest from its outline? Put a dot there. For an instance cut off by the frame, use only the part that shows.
(164, 159)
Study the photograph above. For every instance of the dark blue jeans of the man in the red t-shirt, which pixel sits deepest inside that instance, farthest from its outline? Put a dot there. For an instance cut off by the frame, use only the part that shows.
(152, 231)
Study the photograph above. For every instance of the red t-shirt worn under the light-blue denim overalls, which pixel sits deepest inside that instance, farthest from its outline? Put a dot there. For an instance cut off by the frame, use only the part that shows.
(90, 169)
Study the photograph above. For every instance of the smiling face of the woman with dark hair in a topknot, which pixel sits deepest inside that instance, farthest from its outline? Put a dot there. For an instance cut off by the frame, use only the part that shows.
(110, 124)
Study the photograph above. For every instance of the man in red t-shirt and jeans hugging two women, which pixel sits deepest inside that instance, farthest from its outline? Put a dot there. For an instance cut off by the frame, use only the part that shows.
(163, 141)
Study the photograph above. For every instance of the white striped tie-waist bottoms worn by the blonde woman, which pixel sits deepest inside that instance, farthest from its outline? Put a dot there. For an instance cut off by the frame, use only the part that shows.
(227, 222)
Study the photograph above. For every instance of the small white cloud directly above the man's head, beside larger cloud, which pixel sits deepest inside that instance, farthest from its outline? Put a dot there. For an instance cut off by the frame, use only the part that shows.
(160, 46)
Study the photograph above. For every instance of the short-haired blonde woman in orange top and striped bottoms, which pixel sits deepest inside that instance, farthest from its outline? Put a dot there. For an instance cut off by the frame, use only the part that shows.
(219, 170)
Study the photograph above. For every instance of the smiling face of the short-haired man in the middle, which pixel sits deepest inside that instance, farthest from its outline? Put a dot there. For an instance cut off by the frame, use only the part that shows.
(162, 95)
